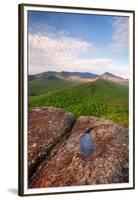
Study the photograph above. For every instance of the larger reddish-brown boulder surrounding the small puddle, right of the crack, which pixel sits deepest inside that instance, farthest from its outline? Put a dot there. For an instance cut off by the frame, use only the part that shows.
(68, 166)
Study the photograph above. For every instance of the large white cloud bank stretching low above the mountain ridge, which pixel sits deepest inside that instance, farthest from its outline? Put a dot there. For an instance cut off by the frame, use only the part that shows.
(65, 53)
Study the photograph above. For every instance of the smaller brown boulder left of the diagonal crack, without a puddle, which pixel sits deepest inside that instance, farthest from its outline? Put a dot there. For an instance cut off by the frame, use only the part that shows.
(46, 127)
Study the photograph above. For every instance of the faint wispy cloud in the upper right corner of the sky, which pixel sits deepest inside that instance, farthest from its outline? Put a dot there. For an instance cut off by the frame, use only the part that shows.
(120, 34)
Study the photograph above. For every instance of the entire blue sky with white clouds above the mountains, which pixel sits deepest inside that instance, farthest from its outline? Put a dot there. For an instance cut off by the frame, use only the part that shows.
(78, 42)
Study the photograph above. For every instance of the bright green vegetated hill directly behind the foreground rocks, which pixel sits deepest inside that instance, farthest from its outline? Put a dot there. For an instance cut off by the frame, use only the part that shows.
(100, 98)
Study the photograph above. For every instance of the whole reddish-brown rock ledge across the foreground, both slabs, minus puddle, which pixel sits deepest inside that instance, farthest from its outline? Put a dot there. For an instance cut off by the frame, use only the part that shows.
(67, 166)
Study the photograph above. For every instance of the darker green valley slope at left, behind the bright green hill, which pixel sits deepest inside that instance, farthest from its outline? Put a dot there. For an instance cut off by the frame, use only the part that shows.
(41, 86)
